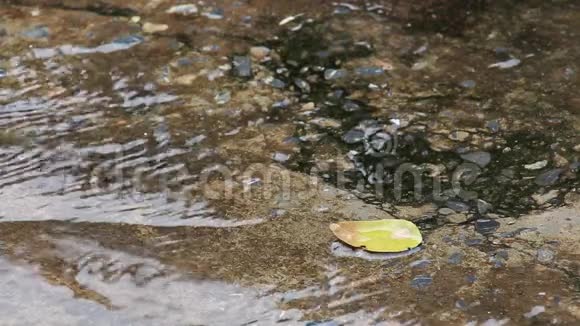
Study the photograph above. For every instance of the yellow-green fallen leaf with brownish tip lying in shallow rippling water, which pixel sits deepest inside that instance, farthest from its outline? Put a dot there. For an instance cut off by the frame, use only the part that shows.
(379, 236)
